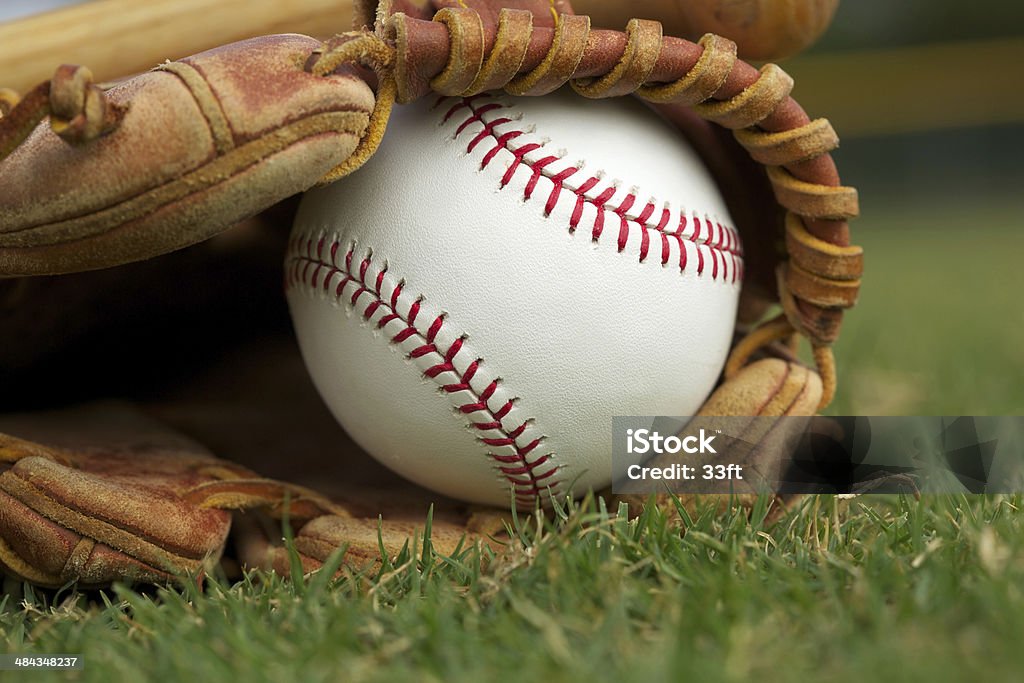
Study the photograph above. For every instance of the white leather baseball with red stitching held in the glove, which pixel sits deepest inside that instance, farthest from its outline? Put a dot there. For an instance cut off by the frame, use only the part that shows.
(502, 278)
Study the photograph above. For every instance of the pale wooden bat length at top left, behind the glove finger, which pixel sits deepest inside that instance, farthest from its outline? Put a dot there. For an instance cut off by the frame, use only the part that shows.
(116, 38)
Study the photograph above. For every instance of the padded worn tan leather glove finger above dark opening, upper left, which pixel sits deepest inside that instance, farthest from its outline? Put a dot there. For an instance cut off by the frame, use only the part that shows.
(206, 142)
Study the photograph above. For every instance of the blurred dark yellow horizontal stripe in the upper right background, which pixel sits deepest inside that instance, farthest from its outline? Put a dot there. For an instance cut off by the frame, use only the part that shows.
(911, 90)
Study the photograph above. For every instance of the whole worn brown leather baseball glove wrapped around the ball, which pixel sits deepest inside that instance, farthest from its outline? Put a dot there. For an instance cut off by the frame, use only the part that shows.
(103, 188)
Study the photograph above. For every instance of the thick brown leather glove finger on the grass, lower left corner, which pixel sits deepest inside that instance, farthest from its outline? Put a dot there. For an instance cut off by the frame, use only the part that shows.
(98, 509)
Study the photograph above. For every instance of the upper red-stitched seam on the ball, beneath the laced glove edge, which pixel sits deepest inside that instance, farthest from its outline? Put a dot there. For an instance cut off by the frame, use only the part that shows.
(721, 243)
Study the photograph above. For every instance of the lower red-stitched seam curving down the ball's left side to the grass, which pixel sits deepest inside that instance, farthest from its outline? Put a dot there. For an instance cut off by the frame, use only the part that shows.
(308, 266)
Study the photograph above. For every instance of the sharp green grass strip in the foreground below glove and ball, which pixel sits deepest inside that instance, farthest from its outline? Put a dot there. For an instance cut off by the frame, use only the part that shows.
(891, 589)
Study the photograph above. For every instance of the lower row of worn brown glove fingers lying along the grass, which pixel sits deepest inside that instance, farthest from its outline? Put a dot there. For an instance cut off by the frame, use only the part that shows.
(104, 493)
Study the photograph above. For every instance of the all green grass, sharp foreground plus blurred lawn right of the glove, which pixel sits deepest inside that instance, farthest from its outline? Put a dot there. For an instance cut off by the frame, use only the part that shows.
(876, 589)
